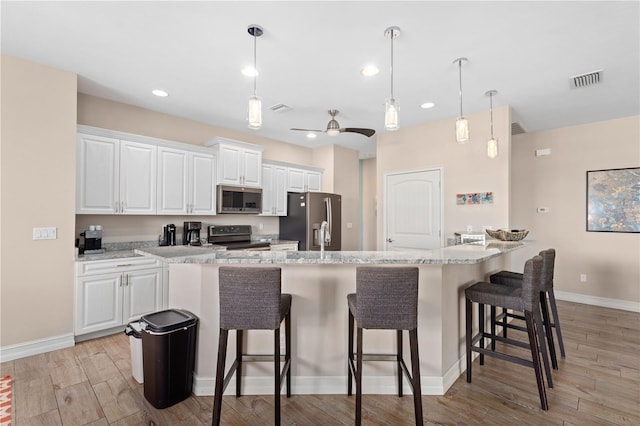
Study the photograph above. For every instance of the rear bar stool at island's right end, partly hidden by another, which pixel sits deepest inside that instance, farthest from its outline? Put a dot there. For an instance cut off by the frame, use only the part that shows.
(514, 279)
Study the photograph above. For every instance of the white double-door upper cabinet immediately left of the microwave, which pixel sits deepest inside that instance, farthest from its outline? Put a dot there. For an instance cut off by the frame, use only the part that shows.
(186, 182)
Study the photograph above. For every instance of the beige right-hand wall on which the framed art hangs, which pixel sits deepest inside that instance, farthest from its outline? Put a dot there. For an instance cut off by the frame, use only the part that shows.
(610, 260)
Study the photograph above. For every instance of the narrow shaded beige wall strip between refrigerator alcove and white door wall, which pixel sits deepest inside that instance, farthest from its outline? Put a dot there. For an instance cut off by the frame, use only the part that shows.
(368, 203)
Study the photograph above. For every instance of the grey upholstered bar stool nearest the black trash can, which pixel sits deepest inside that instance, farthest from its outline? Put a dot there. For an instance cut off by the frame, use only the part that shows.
(251, 299)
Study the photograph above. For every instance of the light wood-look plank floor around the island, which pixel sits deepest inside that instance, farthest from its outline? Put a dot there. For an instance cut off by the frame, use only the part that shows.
(597, 383)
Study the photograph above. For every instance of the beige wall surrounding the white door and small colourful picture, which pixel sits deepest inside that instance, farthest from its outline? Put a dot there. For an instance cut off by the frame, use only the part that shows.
(466, 168)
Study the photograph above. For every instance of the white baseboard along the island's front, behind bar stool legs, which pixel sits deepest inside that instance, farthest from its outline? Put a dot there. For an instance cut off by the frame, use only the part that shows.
(324, 385)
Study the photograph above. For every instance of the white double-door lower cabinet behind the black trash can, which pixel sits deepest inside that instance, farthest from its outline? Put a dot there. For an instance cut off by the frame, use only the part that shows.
(112, 293)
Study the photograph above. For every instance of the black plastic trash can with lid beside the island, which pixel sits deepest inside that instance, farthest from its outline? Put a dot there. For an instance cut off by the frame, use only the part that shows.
(168, 356)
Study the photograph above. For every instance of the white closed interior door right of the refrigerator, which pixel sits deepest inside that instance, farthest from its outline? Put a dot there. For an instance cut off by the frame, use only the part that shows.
(413, 210)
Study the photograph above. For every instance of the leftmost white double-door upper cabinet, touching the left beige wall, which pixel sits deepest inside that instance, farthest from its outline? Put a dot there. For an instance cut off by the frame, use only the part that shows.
(115, 176)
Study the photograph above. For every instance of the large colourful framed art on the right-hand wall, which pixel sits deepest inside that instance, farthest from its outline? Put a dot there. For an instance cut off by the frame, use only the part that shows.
(613, 200)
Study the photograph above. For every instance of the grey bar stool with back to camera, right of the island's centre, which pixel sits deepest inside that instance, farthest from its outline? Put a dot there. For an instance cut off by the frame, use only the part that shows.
(385, 298)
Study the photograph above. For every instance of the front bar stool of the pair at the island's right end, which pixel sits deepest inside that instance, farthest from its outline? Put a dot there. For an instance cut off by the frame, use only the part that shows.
(524, 298)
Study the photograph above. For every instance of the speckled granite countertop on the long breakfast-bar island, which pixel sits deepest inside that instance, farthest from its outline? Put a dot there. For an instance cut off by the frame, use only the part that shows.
(460, 254)
